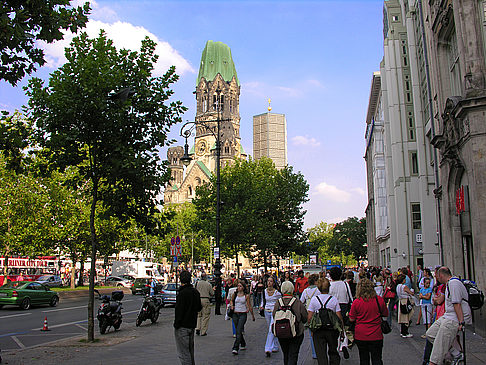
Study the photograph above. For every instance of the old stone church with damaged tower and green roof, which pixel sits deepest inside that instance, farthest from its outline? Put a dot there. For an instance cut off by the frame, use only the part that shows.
(217, 97)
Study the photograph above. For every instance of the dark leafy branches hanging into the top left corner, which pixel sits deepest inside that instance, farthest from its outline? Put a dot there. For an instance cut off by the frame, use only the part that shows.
(24, 23)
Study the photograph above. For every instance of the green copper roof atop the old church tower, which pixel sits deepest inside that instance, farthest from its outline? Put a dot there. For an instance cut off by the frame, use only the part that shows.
(216, 58)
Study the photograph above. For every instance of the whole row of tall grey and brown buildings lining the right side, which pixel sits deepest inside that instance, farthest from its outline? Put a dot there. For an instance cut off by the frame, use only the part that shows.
(433, 94)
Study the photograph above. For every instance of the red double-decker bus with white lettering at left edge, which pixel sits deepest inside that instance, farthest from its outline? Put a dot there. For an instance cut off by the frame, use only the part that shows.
(30, 269)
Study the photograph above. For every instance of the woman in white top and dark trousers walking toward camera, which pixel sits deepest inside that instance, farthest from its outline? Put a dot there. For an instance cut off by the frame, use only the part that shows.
(240, 305)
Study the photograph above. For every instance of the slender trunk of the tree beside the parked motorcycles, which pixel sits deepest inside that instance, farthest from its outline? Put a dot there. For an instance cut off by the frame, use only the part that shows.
(92, 272)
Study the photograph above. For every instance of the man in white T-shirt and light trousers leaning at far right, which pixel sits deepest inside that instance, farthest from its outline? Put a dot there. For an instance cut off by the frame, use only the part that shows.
(441, 335)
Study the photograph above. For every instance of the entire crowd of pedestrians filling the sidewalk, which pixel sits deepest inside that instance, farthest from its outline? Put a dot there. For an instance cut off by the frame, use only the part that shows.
(338, 309)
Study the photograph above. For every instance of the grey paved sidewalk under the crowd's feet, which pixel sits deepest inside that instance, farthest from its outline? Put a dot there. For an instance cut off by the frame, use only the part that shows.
(154, 344)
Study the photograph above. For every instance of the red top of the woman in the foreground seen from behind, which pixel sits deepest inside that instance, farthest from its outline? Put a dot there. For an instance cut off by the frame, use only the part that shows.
(368, 318)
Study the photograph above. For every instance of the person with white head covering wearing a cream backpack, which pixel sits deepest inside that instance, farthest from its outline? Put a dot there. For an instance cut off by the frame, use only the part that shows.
(289, 316)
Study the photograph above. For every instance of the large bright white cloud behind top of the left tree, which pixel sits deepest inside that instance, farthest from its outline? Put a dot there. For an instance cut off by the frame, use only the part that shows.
(124, 35)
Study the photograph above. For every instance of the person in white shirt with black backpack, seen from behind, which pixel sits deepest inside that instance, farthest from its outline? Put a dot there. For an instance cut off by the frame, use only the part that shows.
(326, 337)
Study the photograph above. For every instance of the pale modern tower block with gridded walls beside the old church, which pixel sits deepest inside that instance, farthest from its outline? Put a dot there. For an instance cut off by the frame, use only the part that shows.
(270, 138)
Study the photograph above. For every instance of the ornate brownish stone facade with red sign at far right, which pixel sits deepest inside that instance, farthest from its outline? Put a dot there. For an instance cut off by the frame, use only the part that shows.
(455, 33)
